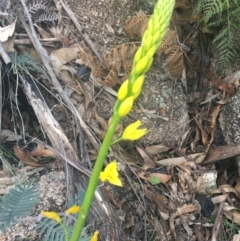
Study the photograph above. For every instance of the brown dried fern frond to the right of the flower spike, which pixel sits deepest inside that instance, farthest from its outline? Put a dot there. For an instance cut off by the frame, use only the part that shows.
(174, 63)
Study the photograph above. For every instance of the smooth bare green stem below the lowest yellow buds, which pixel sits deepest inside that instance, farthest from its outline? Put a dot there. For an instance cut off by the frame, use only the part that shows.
(93, 182)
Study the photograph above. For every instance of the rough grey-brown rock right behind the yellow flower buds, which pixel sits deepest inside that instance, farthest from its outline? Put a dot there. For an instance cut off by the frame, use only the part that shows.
(164, 109)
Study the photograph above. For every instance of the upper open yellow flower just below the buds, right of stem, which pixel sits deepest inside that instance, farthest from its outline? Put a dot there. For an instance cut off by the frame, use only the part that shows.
(132, 132)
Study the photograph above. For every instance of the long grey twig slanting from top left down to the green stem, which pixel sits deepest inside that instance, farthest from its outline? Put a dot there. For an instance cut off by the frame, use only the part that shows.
(45, 59)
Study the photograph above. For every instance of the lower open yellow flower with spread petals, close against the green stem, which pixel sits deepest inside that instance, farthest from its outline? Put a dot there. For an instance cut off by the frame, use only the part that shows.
(110, 174)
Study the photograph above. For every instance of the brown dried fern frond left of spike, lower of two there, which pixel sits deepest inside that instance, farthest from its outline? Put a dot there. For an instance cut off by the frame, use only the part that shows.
(120, 58)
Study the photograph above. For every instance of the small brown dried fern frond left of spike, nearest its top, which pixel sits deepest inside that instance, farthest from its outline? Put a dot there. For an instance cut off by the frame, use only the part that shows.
(136, 25)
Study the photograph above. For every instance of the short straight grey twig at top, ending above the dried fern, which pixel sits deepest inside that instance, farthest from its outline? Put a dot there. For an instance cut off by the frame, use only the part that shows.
(80, 29)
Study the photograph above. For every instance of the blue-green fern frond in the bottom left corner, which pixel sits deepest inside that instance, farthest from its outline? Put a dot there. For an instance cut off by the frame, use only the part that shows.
(19, 202)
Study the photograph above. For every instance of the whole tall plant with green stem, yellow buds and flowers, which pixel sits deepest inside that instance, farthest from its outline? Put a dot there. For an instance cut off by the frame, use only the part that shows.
(127, 94)
